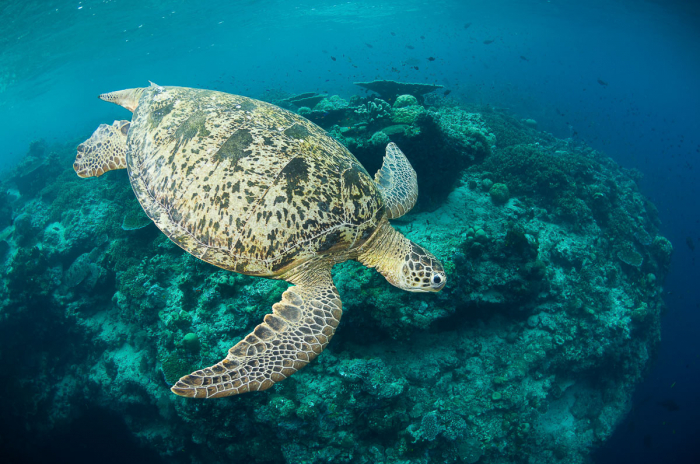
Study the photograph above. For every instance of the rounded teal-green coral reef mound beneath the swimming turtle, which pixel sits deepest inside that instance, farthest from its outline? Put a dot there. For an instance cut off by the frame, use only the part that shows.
(549, 319)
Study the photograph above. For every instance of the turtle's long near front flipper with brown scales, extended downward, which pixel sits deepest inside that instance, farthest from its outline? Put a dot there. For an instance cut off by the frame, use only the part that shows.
(299, 328)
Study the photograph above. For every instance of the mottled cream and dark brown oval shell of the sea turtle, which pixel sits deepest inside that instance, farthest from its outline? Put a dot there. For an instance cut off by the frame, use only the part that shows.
(246, 185)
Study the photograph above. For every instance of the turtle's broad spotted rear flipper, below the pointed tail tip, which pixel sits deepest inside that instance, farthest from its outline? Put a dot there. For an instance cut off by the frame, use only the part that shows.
(104, 151)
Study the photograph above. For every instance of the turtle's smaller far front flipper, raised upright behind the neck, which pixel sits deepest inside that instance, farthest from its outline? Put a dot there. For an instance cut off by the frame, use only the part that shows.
(398, 182)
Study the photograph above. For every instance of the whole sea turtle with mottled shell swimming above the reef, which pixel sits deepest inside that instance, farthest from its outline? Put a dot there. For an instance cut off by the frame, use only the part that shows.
(256, 189)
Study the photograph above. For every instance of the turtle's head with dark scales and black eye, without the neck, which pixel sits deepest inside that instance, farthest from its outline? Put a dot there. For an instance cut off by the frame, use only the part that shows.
(420, 271)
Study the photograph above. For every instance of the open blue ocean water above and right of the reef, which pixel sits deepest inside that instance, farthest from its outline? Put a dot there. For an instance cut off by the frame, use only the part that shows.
(621, 76)
